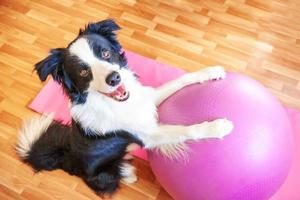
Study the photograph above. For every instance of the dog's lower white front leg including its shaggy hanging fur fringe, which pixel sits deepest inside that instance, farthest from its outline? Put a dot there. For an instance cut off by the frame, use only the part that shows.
(169, 139)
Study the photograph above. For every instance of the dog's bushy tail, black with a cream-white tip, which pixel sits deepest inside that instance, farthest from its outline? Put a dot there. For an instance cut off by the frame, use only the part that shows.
(42, 142)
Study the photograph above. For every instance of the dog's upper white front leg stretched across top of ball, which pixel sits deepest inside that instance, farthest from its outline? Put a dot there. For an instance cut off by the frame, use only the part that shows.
(210, 73)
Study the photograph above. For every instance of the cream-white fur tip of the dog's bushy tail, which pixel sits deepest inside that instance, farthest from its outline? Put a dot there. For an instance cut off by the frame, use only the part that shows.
(30, 132)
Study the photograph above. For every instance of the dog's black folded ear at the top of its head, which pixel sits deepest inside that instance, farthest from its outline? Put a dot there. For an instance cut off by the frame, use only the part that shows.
(105, 28)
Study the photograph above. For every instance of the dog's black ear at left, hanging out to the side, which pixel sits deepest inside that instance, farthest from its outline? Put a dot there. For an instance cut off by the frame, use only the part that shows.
(51, 65)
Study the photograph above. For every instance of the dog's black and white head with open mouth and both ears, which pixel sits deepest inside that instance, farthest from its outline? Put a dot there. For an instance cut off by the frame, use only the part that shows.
(92, 61)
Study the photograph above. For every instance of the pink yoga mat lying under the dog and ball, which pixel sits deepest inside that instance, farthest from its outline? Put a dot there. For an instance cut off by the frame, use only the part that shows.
(52, 99)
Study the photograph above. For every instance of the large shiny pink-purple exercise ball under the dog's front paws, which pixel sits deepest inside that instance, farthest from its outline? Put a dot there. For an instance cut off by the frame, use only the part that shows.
(250, 163)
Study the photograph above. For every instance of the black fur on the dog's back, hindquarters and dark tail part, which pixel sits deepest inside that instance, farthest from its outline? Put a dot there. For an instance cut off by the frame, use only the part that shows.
(96, 159)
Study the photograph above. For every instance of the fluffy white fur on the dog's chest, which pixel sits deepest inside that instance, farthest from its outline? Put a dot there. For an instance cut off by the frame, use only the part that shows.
(101, 114)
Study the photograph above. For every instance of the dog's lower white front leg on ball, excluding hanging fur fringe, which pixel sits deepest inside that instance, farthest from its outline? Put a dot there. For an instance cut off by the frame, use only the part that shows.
(173, 134)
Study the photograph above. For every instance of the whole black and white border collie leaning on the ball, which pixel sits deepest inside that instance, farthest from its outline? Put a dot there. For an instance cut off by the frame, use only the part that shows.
(110, 110)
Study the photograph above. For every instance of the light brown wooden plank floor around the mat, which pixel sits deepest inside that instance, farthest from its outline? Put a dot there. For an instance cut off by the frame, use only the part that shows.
(260, 38)
